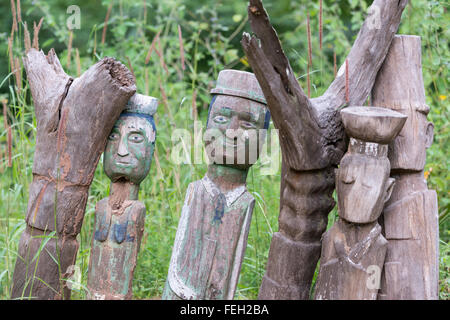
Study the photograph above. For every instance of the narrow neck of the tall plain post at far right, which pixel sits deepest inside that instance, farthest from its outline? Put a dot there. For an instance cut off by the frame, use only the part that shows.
(406, 184)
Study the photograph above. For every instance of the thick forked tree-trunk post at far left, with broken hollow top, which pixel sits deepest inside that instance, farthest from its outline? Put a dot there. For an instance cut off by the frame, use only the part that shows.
(74, 118)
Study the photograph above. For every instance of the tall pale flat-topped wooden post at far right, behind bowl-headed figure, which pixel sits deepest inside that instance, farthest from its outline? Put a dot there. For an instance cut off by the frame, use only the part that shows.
(411, 269)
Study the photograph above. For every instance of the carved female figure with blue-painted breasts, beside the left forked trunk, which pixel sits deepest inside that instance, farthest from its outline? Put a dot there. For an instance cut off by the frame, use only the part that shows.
(119, 218)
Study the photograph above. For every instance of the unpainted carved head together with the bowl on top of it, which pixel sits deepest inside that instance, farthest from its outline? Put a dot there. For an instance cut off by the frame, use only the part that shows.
(363, 184)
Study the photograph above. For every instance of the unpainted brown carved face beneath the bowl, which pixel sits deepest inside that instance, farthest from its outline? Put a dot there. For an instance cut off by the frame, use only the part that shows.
(363, 186)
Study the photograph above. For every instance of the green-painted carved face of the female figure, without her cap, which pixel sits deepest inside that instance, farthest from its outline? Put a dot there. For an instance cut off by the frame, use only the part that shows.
(129, 149)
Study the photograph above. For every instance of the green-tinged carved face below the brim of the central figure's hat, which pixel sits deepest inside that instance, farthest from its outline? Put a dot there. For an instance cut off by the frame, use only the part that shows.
(234, 136)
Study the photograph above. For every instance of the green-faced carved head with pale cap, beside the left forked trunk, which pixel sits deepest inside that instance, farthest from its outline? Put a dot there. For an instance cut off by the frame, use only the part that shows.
(130, 145)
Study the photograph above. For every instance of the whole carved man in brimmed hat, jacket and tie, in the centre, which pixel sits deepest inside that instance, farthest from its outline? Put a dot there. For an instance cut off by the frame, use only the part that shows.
(212, 233)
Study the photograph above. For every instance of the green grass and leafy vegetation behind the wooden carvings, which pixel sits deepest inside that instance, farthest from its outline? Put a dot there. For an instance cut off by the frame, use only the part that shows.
(211, 32)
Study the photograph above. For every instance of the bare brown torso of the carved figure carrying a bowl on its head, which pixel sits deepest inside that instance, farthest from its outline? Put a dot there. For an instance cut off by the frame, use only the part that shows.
(350, 253)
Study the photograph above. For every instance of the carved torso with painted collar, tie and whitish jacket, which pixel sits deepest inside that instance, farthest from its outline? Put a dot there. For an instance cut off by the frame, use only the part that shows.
(210, 242)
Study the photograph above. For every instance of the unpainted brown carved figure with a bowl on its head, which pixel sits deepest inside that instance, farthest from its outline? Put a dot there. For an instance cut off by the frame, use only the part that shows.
(354, 249)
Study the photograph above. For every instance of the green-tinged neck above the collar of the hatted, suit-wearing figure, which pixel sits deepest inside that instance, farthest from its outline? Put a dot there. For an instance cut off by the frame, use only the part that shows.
(226, 178)
